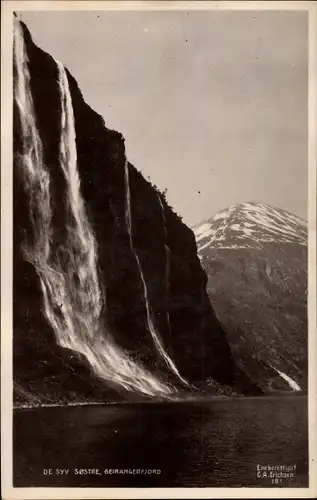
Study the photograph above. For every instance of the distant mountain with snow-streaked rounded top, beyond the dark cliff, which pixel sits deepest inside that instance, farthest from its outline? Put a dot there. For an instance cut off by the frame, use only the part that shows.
(255, 257)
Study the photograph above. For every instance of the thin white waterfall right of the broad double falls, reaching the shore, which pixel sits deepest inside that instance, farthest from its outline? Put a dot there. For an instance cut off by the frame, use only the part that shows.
(149, 313)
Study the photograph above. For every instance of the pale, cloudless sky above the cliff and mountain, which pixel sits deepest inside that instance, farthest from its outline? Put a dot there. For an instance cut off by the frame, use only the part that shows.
(213, 105)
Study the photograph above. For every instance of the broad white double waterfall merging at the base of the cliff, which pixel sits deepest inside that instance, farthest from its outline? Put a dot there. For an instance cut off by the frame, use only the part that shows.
(72, 296)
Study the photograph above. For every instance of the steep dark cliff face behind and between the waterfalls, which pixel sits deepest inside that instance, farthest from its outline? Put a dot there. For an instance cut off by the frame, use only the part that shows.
(164, 249)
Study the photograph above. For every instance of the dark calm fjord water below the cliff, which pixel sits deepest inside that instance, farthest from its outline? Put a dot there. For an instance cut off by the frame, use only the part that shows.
(219, 442)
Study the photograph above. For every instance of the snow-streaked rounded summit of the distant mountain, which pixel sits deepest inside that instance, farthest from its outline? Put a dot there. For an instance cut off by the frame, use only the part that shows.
(249, 225)
